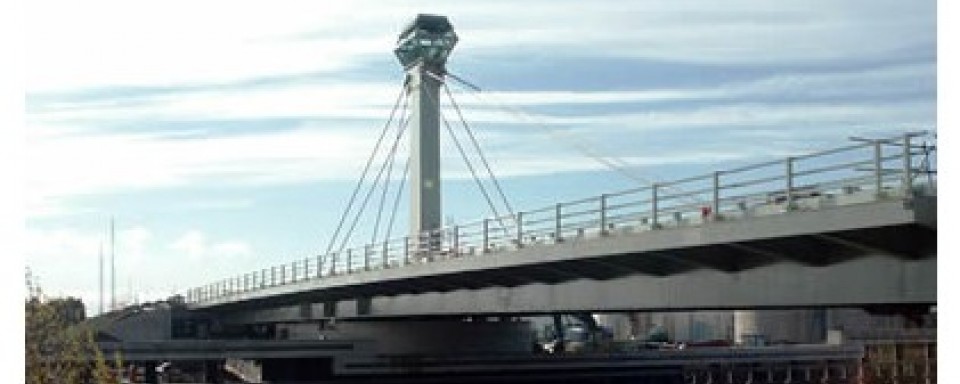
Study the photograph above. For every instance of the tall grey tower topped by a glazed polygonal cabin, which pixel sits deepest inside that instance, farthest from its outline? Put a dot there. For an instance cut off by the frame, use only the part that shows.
(423, 48)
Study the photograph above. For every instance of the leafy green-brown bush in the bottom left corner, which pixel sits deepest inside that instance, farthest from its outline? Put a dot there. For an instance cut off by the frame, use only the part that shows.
(59, 345)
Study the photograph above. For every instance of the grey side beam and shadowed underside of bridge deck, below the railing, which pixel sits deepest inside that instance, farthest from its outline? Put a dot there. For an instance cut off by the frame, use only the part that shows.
(878, 253)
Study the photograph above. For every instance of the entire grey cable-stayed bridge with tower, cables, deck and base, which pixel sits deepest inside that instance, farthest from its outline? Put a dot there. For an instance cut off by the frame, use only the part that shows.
(851, 226)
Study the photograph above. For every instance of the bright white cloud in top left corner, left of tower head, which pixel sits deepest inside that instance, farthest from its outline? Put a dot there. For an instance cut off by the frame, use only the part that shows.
(109, 43)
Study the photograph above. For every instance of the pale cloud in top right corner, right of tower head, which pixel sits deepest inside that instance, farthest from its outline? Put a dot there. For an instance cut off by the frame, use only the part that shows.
(744, 32)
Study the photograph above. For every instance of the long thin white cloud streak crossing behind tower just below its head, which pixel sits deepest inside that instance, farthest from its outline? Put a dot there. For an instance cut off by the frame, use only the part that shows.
(369, 102)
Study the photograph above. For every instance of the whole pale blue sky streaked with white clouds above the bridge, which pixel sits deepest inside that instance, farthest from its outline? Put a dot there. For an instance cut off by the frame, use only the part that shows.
(224, 137)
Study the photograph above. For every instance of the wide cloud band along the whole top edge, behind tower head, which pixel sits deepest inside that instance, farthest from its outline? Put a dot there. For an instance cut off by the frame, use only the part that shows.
(102, 43)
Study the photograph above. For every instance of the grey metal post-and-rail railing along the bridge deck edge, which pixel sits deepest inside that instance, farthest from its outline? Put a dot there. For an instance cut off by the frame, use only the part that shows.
(858, 173)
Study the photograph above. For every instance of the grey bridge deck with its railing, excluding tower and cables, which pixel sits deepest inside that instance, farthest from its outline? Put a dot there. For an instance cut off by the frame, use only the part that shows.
(790, 233)
